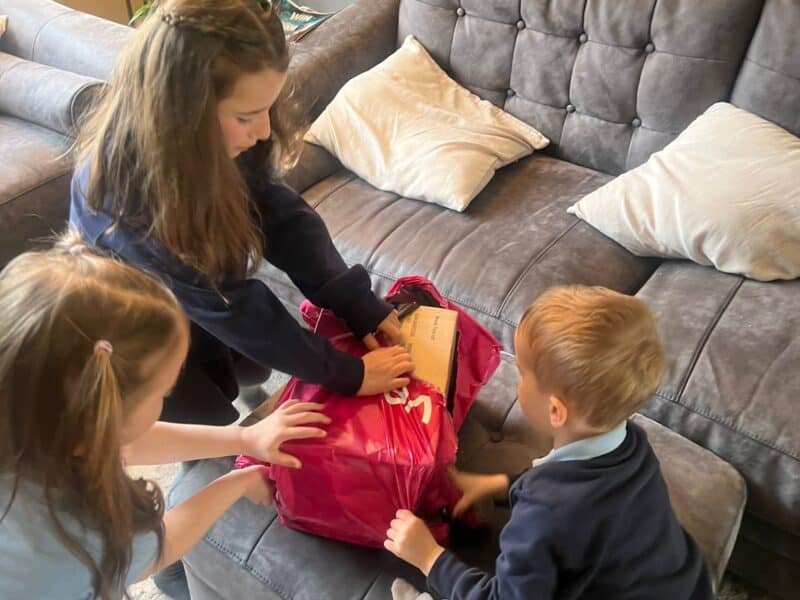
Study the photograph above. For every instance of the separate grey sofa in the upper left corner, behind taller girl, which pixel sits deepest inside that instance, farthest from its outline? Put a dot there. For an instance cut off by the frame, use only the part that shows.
(52, 61)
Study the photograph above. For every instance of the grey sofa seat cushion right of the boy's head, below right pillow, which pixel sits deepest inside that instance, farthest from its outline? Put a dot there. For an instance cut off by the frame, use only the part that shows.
(733, 381)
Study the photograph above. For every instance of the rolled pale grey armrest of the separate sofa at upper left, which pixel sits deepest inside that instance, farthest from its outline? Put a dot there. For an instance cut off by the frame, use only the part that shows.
(44, 95)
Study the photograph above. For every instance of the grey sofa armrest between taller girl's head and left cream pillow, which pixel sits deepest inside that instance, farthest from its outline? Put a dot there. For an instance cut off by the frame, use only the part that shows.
(349, 43)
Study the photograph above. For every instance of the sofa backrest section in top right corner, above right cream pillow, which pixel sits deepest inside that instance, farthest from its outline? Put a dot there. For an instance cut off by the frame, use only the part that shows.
(769, 81)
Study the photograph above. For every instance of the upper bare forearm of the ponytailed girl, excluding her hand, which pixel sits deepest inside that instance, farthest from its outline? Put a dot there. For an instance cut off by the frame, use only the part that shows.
(169, 442)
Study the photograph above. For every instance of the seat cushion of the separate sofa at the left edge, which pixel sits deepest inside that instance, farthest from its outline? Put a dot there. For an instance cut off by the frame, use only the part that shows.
(34, 184)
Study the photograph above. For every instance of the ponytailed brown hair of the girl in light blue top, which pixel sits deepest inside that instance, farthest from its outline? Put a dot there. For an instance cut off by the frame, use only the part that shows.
(63, 397)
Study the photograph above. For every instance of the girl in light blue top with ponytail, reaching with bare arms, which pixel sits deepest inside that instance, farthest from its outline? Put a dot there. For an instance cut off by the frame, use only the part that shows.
(89, 347)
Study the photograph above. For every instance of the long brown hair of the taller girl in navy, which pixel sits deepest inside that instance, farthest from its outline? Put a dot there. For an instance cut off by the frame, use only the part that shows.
(154, 146)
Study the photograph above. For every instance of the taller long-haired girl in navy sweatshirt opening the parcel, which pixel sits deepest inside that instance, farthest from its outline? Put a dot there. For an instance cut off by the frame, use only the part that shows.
(178, 174)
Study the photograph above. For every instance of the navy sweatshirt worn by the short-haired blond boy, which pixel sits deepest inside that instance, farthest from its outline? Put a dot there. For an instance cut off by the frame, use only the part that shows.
(601, 528)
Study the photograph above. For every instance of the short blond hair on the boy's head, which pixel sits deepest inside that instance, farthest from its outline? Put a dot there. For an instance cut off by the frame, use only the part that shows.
(594, 348)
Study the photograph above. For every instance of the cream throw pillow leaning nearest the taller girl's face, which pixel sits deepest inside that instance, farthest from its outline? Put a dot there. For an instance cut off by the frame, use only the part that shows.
(406, 127)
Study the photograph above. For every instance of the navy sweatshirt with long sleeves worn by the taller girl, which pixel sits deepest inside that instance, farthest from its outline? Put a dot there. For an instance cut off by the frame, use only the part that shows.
(245, 315)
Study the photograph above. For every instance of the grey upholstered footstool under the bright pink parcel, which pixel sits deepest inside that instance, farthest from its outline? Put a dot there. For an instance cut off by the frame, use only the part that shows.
(494, 438)
